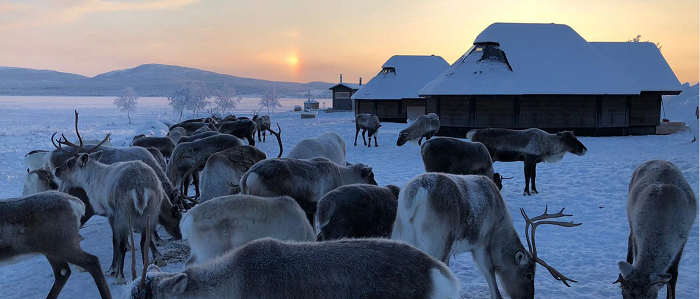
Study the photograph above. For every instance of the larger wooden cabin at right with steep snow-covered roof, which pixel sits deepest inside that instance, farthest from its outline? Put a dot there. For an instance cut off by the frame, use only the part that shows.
(547, 76)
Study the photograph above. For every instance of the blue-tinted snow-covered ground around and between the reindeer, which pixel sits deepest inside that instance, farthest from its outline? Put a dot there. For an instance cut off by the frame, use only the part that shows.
(593, 188)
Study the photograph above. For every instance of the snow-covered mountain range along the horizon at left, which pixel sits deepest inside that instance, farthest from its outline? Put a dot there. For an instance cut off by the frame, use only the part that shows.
(146, 79)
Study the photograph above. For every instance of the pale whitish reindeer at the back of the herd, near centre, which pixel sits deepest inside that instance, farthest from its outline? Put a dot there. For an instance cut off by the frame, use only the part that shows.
(327, 145)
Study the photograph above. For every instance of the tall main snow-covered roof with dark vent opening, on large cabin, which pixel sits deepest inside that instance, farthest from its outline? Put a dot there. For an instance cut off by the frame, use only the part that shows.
(544, 58)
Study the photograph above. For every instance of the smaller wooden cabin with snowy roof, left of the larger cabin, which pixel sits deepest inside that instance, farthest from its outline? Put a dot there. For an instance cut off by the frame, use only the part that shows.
(393, 93)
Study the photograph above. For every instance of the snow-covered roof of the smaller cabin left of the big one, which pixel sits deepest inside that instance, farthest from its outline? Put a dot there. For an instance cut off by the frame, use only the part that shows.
(409, 74)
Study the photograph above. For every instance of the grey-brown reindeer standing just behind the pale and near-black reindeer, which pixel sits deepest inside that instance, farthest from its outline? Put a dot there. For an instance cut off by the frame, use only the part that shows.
(304, 180)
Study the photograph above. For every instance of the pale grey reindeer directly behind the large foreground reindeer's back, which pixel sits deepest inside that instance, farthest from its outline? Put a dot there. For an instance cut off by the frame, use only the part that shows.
(228, 222)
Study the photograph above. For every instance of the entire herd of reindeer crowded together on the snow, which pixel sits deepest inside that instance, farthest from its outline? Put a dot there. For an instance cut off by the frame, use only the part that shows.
(313, 225)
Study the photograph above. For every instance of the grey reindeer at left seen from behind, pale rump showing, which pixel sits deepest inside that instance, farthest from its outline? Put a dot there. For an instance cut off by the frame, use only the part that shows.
(128, 193)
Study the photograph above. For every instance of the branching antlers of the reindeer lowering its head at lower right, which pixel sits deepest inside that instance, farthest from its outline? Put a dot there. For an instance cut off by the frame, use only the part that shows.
(536, 221)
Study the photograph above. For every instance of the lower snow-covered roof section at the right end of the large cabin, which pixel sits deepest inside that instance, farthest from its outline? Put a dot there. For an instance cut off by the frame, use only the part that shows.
(644, 62)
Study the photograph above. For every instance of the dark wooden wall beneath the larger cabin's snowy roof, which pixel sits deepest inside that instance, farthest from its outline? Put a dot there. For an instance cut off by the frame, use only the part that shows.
(597, 115)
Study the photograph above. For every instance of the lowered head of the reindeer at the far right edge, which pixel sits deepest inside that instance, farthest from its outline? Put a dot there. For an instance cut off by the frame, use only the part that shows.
(637, 285)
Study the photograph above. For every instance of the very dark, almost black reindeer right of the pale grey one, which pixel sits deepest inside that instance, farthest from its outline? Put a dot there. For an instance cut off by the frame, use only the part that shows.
(357, 211)
